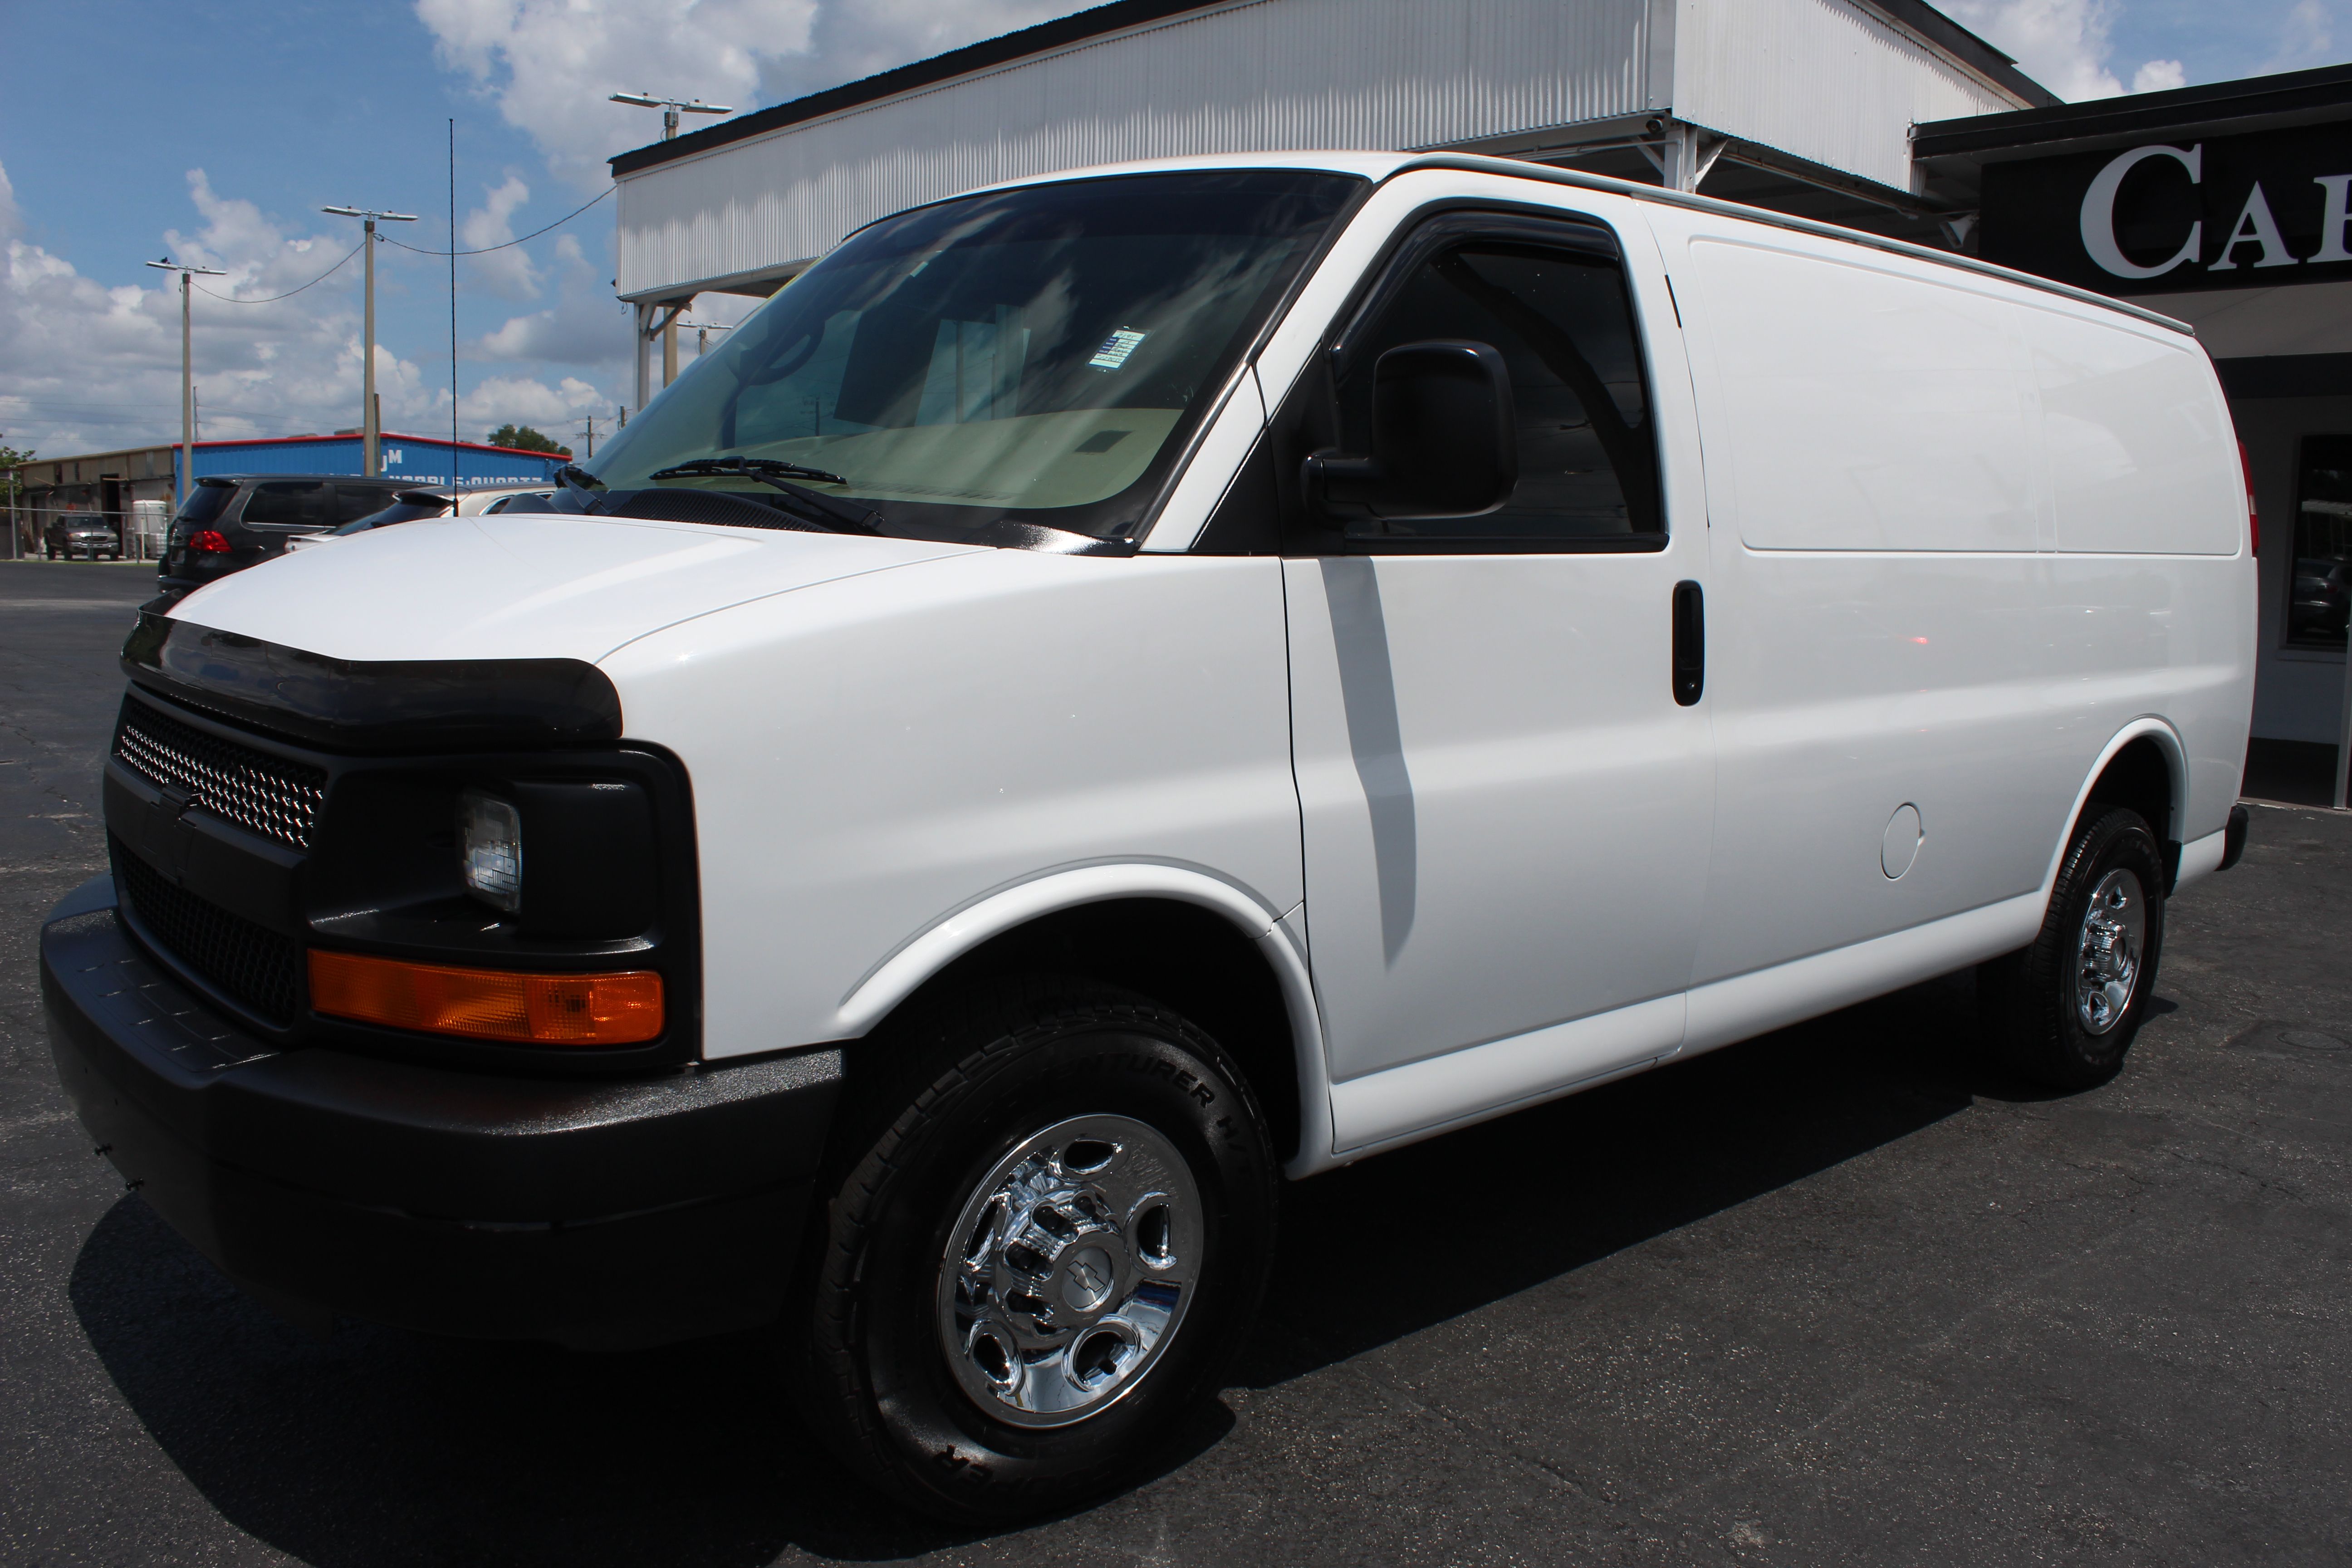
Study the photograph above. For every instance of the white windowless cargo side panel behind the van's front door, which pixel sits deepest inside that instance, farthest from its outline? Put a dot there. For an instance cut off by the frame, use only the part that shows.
(1895, 617)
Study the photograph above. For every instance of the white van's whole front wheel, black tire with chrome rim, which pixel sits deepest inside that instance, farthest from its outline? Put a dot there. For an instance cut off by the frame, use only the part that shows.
(1045, 1259)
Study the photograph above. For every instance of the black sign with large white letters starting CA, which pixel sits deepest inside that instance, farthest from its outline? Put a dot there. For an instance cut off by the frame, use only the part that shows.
(2174, 215)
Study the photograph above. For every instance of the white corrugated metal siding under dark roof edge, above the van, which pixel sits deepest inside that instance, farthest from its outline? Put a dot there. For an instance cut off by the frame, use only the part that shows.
(1829, 81)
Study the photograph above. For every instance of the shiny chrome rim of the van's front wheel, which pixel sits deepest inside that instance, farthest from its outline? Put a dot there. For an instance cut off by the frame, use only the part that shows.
(1069, 1271)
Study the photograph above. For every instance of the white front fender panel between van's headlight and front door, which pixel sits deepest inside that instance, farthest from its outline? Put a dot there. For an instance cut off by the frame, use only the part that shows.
(876, 756)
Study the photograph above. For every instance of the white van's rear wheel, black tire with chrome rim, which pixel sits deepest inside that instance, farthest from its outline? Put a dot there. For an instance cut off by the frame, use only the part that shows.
(2066, 1010)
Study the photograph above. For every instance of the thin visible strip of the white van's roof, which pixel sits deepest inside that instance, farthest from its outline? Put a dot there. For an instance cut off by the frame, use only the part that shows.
(1387, 166)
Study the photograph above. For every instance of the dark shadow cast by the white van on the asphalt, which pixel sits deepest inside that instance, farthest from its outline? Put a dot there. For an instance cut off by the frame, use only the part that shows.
(385, 1447)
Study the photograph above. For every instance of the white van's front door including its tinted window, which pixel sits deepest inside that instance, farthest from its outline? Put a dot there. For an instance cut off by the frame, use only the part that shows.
(1506, 810)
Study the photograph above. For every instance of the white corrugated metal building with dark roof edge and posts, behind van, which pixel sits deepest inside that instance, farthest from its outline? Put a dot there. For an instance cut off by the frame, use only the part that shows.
(1791, 105)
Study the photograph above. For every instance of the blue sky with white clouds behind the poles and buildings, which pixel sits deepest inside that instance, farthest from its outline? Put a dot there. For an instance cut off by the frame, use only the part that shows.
(215, 130)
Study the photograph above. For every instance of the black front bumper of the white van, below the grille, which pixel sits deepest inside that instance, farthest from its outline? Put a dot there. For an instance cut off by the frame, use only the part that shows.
(594, 1214)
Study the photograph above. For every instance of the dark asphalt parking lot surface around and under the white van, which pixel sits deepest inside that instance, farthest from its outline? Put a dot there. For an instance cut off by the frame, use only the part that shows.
(1833, 1296)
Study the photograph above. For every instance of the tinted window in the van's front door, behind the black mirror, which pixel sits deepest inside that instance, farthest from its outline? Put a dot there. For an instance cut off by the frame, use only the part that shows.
(1563, 323)
